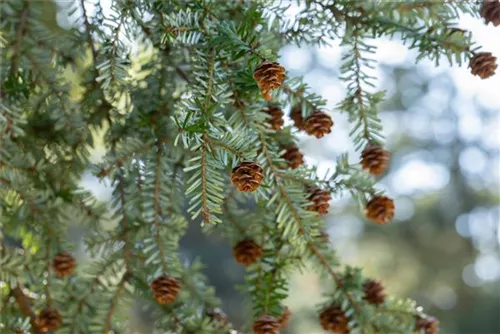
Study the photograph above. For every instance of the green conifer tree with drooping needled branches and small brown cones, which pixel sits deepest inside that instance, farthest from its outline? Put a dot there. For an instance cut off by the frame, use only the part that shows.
(190, 100)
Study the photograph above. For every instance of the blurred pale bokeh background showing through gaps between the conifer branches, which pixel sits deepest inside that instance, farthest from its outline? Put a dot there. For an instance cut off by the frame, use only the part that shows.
(443, 249)
